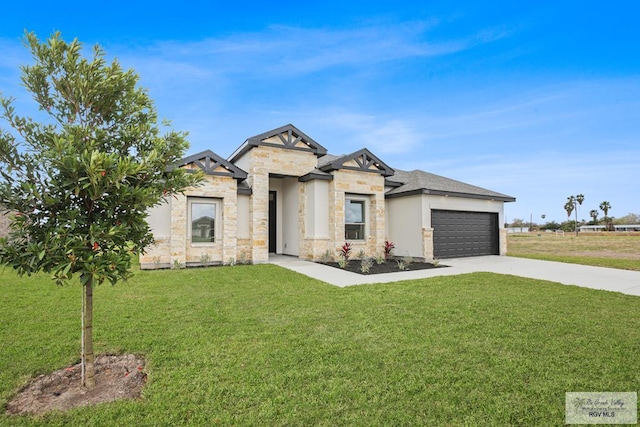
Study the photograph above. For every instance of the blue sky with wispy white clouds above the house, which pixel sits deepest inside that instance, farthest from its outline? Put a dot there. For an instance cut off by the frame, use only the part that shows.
(538, 100)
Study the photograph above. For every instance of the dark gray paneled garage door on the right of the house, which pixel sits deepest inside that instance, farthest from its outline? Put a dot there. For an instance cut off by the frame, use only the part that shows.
(461, 234)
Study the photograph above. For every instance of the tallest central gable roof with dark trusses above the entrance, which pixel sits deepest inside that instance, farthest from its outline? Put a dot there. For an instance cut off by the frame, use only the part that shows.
(287, 137)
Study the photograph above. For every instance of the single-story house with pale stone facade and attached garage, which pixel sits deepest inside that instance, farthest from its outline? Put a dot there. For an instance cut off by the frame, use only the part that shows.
(281, 192)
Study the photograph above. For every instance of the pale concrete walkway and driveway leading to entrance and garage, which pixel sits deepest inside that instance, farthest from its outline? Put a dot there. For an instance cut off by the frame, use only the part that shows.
(609, 279)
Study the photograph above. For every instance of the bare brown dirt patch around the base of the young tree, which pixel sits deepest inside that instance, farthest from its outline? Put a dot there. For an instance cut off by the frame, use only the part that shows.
(116, 377)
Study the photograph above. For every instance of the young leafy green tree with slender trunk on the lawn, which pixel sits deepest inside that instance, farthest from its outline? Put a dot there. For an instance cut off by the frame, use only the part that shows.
(79, 185)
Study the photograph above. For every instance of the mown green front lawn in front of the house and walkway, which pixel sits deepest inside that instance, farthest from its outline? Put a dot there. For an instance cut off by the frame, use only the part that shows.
(260, 345)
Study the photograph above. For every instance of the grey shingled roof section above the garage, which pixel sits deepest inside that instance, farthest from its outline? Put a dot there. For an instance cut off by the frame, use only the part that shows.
(421, 182)
